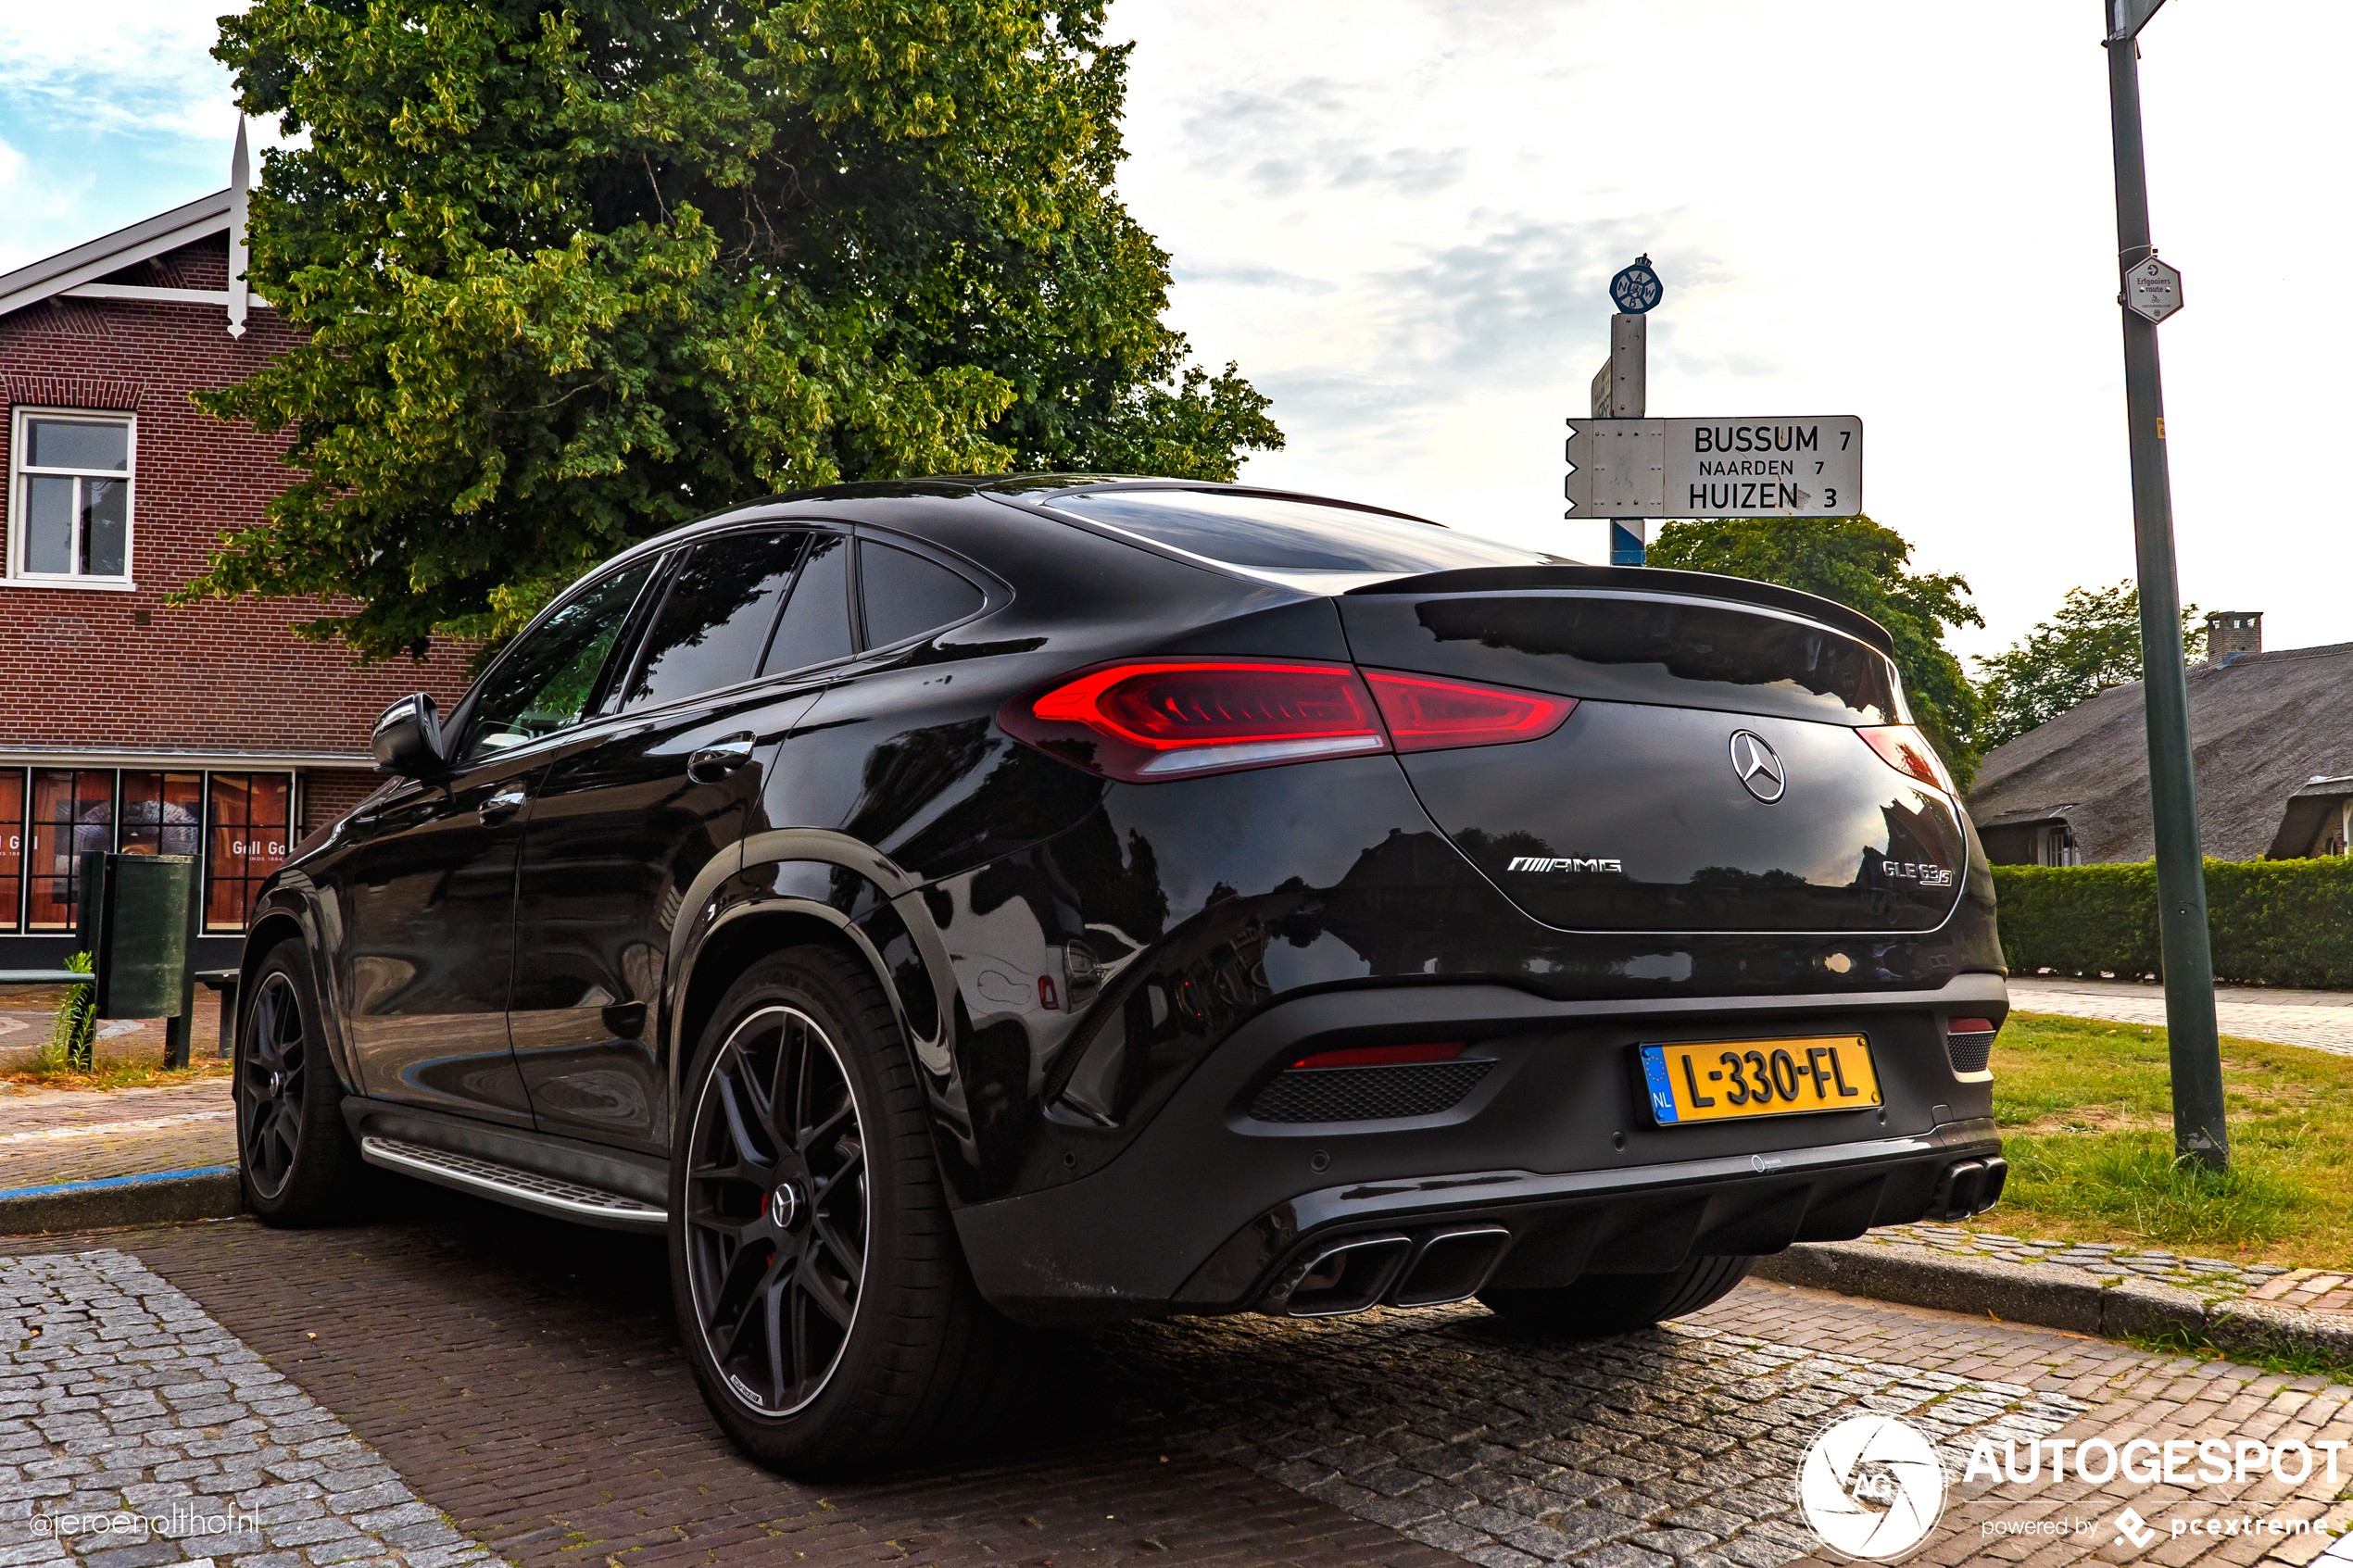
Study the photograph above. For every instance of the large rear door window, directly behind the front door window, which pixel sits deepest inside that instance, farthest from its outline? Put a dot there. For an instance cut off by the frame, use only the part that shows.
(714, 617)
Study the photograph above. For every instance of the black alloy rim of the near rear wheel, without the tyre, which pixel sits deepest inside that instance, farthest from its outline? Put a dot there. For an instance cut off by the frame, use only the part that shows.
(778, 1212)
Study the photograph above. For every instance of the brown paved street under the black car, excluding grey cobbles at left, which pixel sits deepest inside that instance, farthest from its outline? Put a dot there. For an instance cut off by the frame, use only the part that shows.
(524, 1379)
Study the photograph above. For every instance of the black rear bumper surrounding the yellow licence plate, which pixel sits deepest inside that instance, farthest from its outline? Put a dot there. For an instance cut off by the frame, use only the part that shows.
(1208, 1209)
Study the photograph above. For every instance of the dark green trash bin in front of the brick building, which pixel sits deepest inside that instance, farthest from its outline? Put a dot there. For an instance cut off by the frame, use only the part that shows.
(138, 923)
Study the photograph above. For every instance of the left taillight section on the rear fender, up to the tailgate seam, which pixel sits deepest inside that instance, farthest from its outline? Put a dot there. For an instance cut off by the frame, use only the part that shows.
(1171, 721)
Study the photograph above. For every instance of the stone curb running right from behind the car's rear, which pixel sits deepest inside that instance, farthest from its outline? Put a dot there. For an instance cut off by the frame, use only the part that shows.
(2053, 1296)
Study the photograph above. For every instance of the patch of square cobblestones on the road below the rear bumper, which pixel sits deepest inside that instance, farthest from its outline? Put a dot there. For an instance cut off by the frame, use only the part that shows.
(1648, 1449)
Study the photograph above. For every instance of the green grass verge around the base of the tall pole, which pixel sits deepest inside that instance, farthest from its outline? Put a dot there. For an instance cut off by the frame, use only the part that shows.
(2086, 1113)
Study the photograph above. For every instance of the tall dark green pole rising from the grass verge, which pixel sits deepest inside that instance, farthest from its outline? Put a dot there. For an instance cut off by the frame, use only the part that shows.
(2173, 789)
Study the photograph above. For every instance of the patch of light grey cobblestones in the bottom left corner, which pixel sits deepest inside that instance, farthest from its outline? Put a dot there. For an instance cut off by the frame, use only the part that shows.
(138, 1430)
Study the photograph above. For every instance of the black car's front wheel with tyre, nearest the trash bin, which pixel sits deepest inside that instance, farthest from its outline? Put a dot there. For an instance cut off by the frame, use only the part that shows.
(295, 1158)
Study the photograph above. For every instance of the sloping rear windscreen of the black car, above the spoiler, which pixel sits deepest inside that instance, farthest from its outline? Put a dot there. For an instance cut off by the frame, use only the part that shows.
(1277, 535)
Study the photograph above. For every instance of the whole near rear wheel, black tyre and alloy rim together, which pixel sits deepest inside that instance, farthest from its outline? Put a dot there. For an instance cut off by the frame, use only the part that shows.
(820, 1292)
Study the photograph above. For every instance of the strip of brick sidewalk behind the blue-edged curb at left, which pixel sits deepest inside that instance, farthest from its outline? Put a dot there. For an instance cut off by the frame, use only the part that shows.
(79, 1134)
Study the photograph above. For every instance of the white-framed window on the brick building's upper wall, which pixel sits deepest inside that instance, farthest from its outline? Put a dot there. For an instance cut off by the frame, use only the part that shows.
(72, 497)
